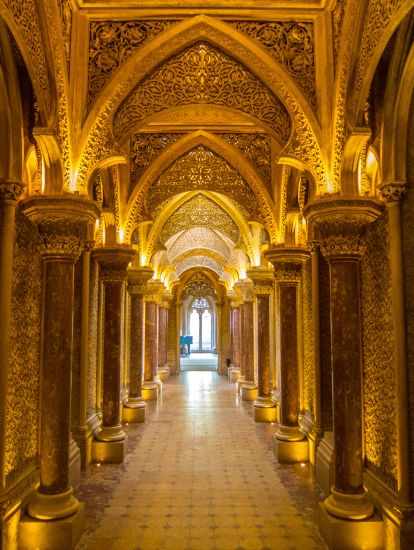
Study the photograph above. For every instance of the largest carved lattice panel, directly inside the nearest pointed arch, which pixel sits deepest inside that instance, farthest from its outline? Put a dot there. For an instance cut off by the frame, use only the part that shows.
(202, 74)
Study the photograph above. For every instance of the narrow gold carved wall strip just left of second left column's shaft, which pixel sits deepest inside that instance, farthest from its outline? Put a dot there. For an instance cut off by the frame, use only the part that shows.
(93, 336)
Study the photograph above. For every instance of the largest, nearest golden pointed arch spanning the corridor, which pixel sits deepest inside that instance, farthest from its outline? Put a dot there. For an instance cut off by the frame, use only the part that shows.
(172, 41)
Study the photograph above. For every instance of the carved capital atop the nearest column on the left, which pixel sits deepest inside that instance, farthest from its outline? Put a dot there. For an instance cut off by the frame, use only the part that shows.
(64, 222)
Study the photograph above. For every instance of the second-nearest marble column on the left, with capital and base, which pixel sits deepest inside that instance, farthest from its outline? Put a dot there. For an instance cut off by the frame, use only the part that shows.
(109, 444)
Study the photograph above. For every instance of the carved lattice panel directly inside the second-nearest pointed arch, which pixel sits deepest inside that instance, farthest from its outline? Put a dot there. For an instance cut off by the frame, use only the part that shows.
(202, 169)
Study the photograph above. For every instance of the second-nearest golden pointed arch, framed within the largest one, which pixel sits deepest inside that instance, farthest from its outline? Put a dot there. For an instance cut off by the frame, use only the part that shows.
(229, 153)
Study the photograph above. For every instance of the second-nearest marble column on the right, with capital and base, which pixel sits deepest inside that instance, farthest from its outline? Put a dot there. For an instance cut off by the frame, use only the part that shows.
(290, 442)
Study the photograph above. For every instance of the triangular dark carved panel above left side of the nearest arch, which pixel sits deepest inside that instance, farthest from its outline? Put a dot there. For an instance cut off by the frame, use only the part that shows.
(111, 43)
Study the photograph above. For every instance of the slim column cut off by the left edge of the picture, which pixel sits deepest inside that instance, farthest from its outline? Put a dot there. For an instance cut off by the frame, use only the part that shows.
(9, 194)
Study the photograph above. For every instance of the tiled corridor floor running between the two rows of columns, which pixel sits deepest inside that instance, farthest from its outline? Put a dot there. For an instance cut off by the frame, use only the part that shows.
(199, 475)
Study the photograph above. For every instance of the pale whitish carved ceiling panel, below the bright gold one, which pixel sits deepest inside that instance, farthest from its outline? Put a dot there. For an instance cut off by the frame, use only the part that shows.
(197, 238)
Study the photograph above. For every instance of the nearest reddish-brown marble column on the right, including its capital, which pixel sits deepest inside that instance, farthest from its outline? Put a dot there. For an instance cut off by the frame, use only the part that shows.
(340, 225)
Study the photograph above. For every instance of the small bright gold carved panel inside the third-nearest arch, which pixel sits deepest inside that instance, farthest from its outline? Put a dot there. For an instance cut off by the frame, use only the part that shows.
(202, 212)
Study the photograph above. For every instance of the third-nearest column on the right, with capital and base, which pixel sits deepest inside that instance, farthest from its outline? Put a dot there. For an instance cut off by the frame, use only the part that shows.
(264, 406)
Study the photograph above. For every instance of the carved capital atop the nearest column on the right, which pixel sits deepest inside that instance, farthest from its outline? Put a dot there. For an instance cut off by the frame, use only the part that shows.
(340, 224)
